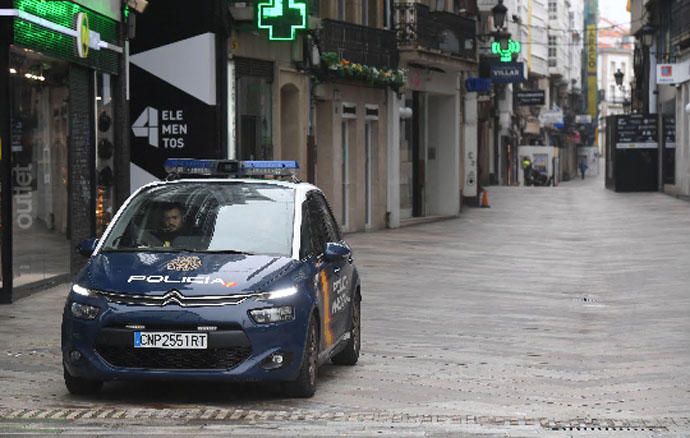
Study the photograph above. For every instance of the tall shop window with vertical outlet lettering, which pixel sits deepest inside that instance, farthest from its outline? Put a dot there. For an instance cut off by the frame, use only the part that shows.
(39, 110)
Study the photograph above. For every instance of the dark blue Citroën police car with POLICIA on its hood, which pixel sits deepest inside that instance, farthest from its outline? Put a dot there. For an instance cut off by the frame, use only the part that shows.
(219, 273)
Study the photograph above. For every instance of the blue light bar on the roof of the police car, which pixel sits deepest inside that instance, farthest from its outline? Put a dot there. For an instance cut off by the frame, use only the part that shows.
(229, 168)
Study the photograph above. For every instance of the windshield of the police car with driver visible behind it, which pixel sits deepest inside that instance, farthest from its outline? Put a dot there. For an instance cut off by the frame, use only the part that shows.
(232, 217)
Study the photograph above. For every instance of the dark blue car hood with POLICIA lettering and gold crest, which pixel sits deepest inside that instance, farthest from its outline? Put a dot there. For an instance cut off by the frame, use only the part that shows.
(193, 274)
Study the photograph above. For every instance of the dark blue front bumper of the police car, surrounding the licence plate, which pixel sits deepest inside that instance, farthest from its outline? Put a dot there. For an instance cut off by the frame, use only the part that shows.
(238, 348)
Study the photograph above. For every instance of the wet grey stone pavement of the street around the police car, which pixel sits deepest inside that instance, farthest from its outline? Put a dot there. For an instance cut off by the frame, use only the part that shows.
(558, 312)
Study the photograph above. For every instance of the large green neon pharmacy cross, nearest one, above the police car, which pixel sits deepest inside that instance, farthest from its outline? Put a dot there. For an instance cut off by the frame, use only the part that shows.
(282, 18)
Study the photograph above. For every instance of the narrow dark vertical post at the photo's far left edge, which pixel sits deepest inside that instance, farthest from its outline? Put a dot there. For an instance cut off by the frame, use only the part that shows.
(5, 158)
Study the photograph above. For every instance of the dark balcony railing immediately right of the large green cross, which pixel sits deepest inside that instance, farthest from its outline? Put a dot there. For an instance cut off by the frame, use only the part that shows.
(360, 44)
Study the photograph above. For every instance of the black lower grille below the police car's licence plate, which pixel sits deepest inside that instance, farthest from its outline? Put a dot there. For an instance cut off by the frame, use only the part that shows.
(210, 359)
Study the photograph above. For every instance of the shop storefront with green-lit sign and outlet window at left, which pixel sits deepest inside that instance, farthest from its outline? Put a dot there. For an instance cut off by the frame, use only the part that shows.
(58, 76)
